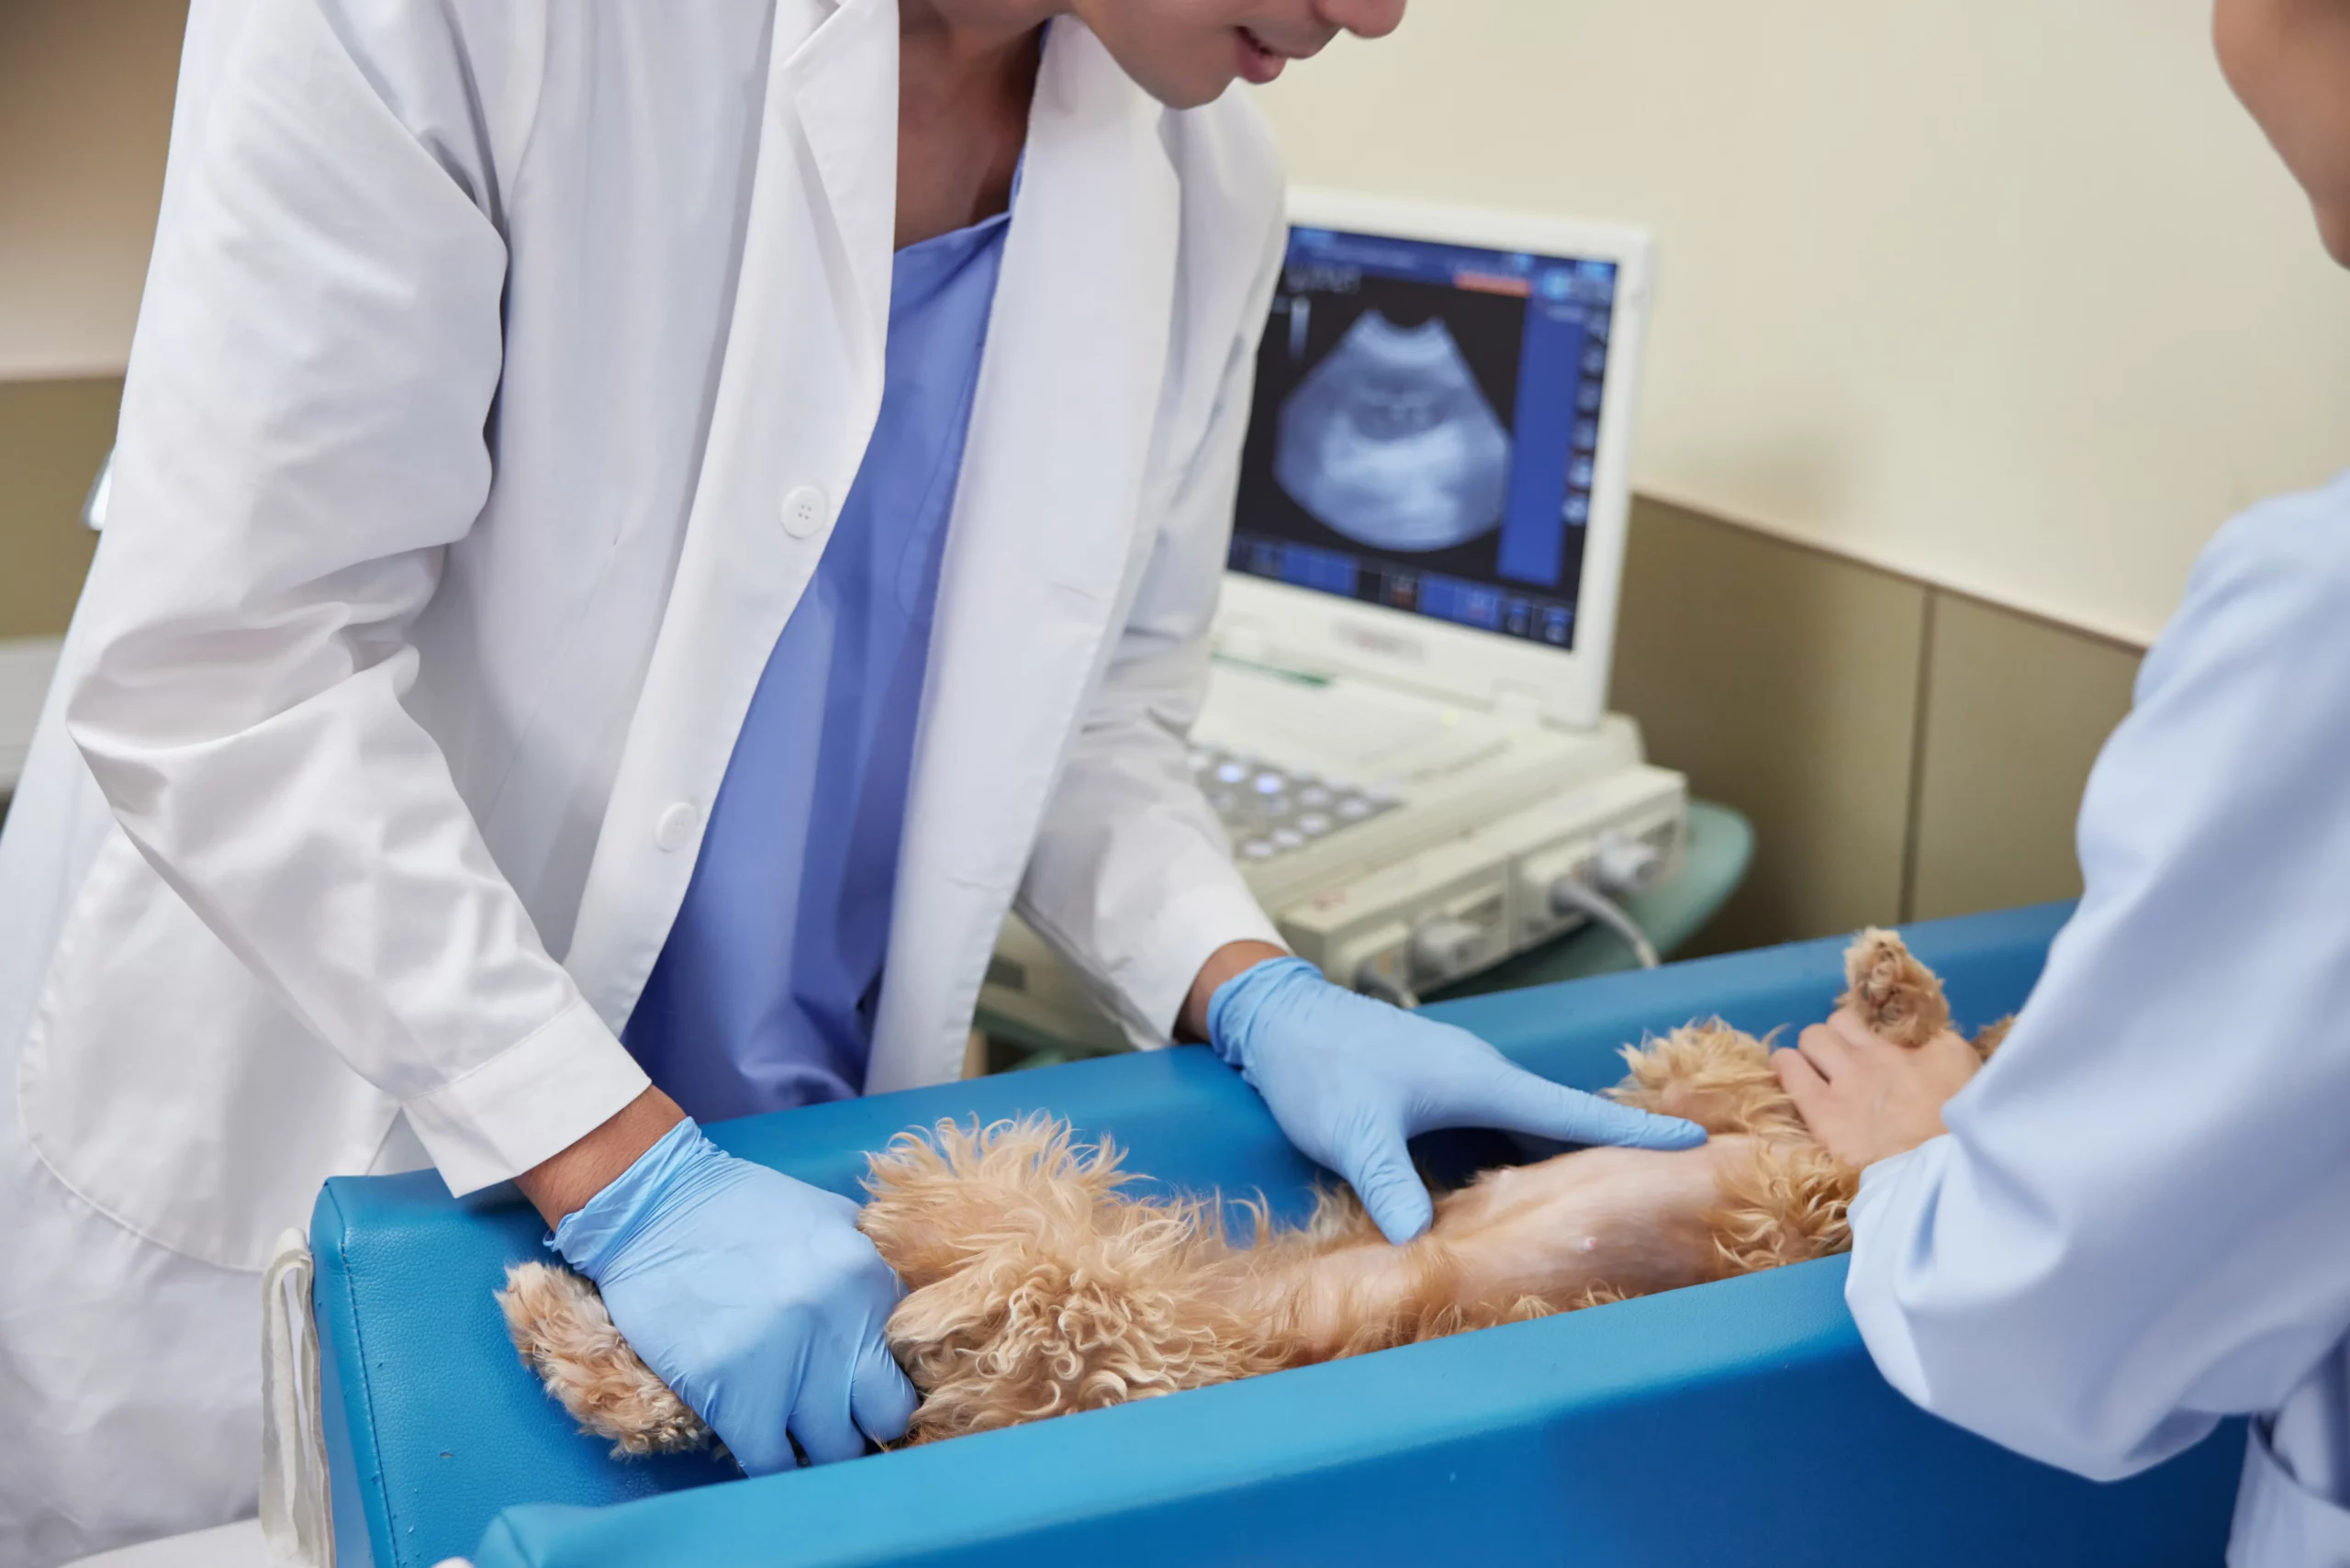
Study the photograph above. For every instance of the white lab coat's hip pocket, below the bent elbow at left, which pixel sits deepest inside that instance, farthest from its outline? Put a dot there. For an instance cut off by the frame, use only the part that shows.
(166, 1087)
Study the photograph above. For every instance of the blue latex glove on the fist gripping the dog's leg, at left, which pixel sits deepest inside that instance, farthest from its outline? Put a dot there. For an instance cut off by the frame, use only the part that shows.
(753, 1296)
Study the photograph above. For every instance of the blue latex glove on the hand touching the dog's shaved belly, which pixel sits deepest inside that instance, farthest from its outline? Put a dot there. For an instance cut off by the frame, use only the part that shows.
(1350, 1080)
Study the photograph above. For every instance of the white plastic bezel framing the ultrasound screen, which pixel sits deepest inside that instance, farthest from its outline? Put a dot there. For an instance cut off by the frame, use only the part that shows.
(1317, 631)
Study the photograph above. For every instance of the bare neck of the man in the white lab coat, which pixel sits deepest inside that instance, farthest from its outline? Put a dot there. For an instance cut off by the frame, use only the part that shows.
(965, 83)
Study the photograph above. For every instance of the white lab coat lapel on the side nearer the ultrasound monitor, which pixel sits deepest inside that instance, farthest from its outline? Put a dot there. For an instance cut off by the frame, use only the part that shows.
(1045, 537)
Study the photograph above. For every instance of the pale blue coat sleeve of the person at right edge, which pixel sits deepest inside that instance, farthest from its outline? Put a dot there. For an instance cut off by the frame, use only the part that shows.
(2133, 1226)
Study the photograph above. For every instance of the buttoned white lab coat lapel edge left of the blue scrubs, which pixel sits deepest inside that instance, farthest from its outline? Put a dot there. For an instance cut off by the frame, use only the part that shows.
(795, 403)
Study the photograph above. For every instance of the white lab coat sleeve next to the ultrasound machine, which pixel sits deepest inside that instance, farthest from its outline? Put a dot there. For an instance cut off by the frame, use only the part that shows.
(1132, 876)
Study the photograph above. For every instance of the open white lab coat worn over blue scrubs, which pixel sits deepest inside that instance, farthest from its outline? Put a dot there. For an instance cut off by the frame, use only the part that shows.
(499, 375)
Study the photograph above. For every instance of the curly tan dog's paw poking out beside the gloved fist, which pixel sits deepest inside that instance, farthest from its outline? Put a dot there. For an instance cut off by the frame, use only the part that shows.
(565, 1334)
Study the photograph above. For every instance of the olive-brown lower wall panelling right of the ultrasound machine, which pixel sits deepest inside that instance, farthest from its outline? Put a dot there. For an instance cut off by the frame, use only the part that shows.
(1902, 751)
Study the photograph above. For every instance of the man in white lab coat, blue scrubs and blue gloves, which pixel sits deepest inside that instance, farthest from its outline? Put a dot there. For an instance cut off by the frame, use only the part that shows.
(638, 502)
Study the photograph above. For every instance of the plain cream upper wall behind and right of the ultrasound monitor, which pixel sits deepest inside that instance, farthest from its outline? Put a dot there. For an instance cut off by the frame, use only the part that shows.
(2003, 295)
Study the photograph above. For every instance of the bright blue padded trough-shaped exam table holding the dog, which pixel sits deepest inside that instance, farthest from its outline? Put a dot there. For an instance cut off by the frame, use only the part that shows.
(1733, 1423)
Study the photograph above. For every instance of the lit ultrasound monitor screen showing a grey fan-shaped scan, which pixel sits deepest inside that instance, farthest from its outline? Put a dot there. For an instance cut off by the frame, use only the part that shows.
(1425, 429)
